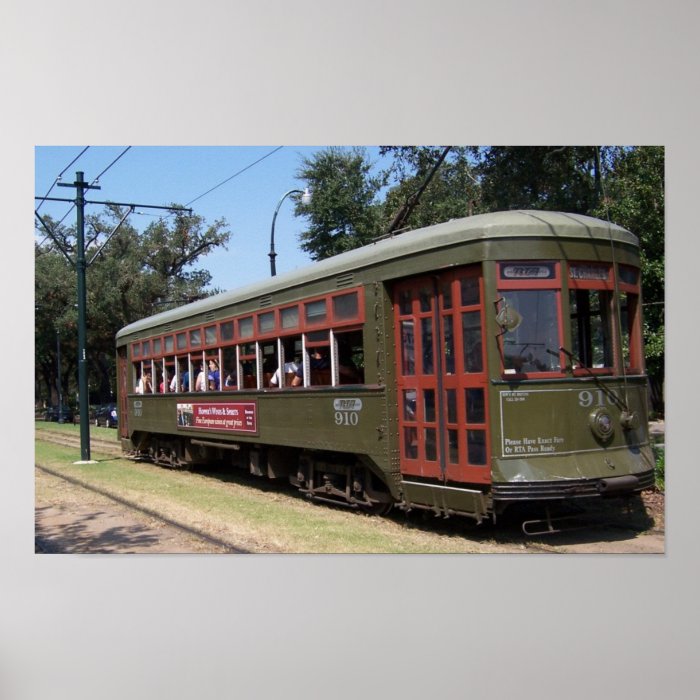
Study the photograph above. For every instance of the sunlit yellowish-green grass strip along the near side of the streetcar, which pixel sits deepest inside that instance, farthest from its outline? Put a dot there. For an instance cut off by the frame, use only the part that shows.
(254, 518)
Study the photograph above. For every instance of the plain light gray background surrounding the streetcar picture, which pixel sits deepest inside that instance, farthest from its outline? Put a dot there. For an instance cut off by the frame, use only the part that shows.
(365, 72)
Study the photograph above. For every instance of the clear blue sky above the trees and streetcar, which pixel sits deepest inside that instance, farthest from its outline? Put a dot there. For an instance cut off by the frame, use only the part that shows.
(162, 175)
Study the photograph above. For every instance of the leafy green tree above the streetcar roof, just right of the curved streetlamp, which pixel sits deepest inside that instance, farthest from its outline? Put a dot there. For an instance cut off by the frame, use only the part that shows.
(344, 212)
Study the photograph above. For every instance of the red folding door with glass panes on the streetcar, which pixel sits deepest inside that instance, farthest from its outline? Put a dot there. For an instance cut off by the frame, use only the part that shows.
(441, 376)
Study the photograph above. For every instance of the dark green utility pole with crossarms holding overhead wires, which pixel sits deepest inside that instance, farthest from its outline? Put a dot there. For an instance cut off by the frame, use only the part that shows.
(81, 266)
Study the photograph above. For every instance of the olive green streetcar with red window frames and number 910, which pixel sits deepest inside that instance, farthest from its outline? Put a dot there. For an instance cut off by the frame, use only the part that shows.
(458, 368)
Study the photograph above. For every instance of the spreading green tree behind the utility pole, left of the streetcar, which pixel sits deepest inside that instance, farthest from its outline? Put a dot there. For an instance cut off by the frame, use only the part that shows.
(135, 275)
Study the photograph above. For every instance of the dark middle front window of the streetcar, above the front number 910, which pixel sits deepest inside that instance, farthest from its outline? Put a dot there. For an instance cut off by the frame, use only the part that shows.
(591, 327)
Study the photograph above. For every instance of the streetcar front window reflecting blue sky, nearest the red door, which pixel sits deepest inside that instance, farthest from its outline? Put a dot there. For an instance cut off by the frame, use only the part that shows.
(533, 344)
